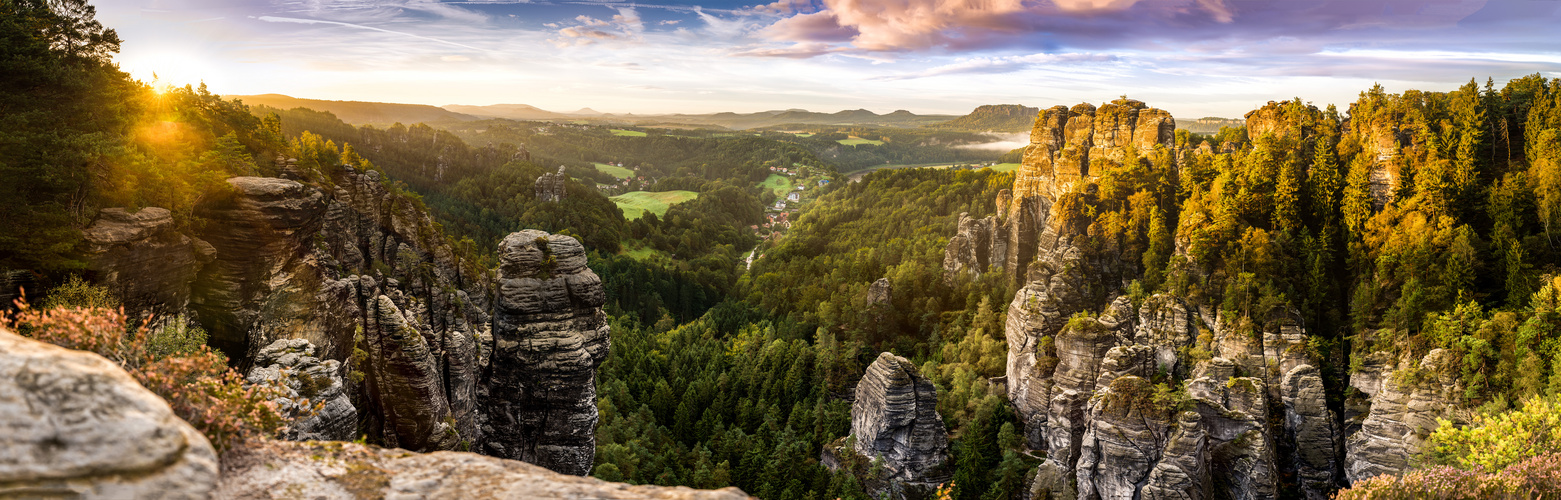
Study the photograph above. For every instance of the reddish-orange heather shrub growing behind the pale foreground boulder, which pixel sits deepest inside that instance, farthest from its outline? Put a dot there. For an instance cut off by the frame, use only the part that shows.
(171, 362)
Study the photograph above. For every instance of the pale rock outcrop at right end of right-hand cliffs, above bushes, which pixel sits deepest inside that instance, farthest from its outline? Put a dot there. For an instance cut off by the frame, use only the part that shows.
(1403, 409)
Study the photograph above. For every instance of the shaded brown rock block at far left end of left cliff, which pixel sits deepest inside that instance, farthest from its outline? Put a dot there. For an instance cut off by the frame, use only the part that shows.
(144, 260)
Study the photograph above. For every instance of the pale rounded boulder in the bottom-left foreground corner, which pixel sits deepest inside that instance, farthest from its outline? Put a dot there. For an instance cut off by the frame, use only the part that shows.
(79, 427)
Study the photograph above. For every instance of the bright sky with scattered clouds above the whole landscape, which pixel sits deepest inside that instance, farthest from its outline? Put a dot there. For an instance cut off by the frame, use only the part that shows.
(1193, 59)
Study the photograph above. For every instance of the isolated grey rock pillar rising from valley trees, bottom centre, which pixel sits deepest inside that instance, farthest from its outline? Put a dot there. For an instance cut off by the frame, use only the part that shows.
(895, 421)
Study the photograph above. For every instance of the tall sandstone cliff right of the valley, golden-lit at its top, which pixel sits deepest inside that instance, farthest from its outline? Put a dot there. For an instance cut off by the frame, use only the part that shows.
(1098, 393)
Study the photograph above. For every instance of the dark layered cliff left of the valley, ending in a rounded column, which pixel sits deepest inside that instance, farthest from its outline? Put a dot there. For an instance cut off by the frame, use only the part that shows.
(350, 268)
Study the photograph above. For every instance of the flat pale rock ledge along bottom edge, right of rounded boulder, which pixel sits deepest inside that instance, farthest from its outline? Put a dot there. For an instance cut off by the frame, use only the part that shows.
(329, 471)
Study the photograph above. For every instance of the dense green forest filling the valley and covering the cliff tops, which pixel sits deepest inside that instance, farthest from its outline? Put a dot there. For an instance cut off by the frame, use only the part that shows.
(1404, 224)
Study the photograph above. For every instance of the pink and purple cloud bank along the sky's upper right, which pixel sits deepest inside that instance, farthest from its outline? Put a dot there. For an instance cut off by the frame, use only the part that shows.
(955, 26)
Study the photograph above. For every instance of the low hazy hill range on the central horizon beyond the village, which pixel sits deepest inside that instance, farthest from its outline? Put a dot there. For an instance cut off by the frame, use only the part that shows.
(738, 121)
